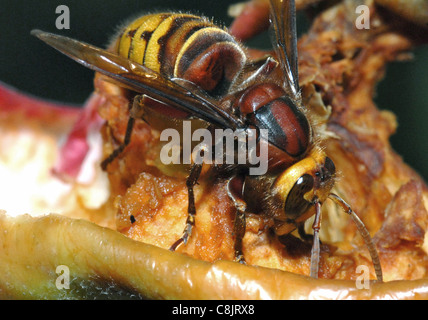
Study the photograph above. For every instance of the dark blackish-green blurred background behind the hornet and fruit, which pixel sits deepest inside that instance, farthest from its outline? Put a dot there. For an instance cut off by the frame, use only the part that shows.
(30, 66)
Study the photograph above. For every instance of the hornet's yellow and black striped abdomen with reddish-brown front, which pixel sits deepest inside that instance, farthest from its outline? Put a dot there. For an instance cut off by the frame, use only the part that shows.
(184, 46)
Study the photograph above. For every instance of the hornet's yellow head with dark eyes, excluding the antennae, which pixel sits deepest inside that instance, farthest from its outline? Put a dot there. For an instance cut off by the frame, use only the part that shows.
(300, 186)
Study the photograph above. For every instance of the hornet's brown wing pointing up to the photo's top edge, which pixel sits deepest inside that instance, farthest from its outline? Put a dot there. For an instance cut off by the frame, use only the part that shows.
(283, 17)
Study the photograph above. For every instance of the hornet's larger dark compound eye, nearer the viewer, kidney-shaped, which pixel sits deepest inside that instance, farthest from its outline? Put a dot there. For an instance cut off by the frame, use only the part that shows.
(296, 204)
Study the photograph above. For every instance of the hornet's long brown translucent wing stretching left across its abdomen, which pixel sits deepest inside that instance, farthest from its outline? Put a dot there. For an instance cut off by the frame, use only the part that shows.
(141, 79)
